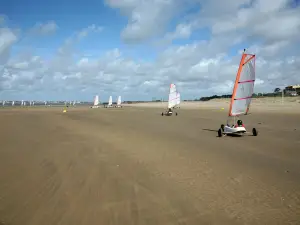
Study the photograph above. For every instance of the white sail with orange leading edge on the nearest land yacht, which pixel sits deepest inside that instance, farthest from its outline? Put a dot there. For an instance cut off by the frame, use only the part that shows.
(244, 86)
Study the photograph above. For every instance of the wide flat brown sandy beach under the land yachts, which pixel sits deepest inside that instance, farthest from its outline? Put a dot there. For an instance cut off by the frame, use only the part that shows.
(133, 166)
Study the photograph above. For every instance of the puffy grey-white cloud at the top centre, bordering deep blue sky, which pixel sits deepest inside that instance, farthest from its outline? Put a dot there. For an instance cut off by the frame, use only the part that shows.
(146, 19)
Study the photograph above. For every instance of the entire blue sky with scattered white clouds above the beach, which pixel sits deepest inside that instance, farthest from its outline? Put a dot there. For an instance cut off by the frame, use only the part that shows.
(72, 50)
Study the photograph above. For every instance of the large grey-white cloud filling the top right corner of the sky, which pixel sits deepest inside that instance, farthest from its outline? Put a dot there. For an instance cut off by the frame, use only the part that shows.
(265, 20)
